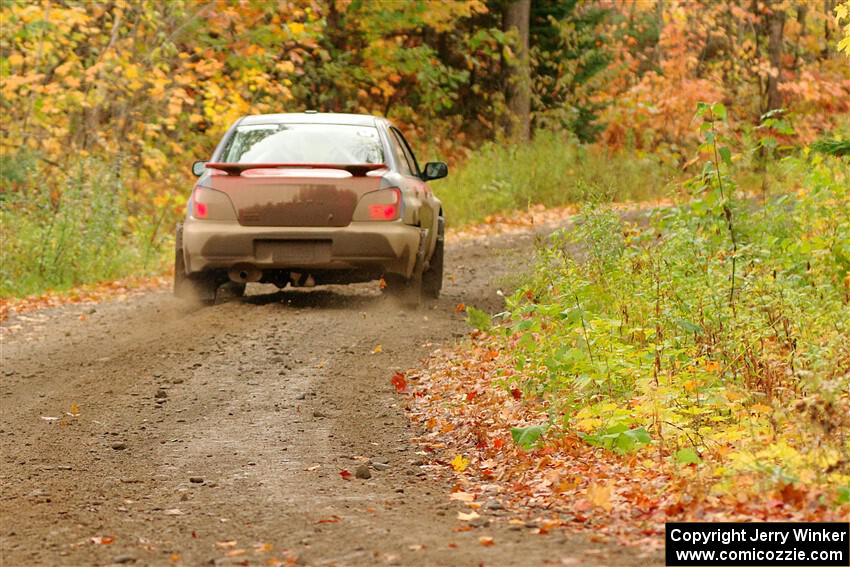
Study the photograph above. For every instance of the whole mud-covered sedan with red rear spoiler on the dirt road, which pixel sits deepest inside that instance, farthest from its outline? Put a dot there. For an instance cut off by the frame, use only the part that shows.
(338, 197)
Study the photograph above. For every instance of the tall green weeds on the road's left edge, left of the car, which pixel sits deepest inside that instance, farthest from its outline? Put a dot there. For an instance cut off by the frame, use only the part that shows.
(82, 234)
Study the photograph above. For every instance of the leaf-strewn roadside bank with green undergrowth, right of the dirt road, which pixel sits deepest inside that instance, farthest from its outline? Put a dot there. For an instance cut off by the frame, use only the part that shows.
(633, 377)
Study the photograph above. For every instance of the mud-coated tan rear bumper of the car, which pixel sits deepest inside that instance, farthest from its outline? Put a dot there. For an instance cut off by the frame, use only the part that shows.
(386, 246)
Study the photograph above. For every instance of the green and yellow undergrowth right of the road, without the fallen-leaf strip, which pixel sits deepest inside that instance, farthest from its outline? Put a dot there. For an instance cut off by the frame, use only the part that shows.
(645, 330)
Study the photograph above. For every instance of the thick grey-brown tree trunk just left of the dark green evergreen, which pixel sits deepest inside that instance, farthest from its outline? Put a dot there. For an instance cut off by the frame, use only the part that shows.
(518, 73)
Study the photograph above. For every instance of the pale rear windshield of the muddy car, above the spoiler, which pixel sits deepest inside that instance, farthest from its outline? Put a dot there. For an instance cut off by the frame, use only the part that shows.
(304, 143)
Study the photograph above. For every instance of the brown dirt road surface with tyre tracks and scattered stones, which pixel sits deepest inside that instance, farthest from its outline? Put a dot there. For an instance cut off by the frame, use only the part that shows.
(147, 432)
